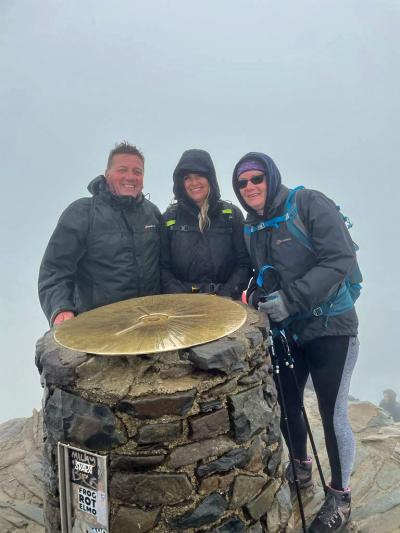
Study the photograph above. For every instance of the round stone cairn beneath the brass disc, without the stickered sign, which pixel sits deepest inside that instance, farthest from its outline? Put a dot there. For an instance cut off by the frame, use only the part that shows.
(192, 435)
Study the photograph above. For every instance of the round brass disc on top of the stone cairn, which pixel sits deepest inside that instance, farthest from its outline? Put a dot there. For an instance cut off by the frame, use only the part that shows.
(151, 324)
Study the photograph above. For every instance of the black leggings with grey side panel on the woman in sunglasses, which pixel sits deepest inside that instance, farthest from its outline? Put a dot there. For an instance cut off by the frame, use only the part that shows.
(330, 360)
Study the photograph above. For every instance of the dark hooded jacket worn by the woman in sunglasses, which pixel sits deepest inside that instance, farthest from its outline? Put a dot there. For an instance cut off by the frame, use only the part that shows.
(307, 277)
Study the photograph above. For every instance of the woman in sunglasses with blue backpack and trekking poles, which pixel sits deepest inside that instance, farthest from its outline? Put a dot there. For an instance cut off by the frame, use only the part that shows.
(303, 259)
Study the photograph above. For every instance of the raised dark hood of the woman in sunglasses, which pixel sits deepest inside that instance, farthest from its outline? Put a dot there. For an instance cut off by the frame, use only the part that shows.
(274, 183)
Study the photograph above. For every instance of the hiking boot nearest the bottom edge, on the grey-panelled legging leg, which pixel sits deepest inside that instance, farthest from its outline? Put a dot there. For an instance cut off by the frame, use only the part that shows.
(334, 513)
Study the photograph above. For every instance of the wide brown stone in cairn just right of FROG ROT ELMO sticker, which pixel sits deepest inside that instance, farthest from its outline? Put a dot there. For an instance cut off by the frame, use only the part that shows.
(150, 489)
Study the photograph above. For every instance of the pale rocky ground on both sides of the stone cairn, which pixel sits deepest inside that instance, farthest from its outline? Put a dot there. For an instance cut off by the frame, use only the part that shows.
(375, 482)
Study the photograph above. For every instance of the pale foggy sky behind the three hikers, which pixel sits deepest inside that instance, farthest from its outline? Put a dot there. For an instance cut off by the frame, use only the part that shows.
(313, 84)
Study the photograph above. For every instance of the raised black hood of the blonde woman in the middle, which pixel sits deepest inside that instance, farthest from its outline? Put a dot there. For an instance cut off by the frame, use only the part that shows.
(199, 162)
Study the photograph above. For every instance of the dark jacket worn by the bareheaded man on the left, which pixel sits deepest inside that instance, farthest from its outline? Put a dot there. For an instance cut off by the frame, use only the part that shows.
(103, 250)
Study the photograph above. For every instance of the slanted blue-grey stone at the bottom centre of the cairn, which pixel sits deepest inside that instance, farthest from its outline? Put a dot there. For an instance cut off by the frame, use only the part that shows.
(209, 510)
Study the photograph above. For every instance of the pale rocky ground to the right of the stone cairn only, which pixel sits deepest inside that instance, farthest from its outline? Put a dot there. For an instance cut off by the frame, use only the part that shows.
(376, 478)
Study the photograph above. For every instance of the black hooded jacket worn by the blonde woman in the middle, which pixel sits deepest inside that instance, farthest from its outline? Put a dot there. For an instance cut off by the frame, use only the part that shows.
(215, 261)
